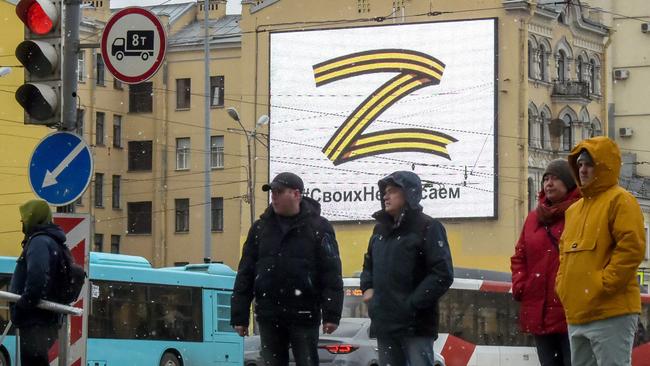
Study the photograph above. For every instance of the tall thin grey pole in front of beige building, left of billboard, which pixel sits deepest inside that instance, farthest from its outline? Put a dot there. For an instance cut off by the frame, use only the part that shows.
(207, 230)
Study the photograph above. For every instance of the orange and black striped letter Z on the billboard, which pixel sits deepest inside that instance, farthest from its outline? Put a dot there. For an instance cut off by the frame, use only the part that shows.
(415, 70)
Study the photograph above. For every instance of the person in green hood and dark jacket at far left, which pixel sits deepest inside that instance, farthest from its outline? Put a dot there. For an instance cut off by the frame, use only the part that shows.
(37, 274)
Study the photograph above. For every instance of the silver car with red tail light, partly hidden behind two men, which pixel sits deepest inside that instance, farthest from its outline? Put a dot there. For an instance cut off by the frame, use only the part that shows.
(349, 345)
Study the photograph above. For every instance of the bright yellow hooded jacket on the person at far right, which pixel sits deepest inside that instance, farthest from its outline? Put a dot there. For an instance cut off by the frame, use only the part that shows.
(603, 242)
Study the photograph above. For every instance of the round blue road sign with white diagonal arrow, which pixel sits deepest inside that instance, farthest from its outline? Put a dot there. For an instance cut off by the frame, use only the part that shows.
(60, 168)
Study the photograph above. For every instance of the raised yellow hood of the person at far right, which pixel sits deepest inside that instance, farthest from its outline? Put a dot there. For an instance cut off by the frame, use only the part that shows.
(607, 164)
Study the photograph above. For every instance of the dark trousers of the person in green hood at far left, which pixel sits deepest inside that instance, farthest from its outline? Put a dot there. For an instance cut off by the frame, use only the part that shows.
(35, 341)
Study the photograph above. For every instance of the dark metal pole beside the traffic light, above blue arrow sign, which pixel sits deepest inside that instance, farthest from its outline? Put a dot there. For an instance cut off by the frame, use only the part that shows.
(72, 15)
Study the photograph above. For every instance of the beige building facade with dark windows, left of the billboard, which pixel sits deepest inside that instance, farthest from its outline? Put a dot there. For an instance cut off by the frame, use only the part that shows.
(150, 145)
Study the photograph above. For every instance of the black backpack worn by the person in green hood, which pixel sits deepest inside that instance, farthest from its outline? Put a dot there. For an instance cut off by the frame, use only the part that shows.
(69, 278)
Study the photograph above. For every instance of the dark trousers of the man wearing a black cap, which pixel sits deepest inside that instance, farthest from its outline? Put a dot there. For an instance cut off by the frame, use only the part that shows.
(275, 339)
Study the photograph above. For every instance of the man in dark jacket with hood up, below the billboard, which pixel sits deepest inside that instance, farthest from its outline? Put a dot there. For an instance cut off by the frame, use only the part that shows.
(405, 272)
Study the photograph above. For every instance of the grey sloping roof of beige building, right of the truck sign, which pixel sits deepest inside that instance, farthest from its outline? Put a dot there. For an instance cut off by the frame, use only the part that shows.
(222, 30)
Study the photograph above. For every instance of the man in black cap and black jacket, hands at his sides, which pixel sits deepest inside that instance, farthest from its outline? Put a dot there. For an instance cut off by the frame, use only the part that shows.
(290, 264)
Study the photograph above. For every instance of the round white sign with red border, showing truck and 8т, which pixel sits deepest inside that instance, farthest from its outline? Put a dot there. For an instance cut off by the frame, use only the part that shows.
(133, 45)
